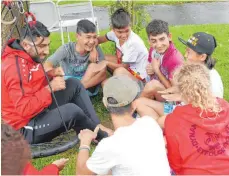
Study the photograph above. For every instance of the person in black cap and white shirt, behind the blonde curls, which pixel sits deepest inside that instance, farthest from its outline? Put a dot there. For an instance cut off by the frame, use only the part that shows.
(200, 47)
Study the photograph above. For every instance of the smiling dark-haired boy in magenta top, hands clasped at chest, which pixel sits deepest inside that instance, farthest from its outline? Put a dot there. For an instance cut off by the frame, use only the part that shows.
(163, 59)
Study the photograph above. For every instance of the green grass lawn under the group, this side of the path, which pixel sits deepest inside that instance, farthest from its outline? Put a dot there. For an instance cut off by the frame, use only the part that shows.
(221, 32)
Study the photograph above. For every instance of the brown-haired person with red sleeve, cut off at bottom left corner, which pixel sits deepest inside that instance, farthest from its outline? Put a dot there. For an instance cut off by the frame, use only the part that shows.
(16, 156)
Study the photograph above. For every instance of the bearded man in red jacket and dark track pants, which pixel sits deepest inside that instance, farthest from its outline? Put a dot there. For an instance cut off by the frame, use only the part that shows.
(27, 102)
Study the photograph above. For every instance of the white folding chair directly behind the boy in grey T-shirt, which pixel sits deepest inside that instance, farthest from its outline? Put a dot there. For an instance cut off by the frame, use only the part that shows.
(71, 14)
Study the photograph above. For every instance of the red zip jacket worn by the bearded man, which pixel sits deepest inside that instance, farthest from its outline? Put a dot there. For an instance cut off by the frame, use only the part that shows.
(23, 86)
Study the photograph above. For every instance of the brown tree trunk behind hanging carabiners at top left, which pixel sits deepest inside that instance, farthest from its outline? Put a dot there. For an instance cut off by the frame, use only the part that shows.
(7, 15)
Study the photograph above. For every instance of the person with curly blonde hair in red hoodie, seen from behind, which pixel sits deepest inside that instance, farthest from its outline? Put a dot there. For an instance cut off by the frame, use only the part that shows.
(197, 132)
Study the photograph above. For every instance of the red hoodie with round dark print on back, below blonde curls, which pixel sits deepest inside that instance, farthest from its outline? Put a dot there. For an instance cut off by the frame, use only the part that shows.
(198, 145)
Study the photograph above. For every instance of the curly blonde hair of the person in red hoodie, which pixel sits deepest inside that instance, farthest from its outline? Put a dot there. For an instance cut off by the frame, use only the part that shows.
(193, 80)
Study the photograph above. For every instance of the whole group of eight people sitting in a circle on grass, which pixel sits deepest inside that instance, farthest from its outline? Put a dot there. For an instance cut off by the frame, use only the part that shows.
(168, 114)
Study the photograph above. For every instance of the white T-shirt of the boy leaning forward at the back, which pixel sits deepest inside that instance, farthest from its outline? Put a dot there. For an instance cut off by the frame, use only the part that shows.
(134, 52)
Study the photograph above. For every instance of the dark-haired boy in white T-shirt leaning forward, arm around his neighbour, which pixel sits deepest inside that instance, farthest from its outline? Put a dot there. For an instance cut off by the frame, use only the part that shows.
(131, 53)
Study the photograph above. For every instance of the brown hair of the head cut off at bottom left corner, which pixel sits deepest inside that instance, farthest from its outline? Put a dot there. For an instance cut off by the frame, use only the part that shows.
(15, 151)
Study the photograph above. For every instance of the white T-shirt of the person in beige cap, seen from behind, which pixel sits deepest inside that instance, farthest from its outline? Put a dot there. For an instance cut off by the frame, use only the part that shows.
(138, 149)
